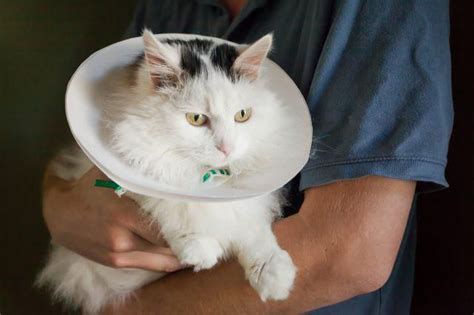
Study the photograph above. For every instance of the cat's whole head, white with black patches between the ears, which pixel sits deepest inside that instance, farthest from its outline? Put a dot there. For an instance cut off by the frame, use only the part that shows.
(197, 104)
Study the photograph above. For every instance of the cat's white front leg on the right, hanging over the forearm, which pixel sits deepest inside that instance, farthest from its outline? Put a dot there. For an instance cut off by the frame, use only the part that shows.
(268, 268)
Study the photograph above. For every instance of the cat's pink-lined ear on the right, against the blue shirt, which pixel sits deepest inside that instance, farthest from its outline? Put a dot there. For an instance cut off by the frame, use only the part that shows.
(250, 60)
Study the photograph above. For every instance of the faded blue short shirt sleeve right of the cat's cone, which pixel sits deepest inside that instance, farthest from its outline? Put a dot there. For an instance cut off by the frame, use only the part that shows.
(380, 98)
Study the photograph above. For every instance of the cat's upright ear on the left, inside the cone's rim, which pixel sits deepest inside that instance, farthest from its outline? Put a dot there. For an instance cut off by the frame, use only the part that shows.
(162, 62)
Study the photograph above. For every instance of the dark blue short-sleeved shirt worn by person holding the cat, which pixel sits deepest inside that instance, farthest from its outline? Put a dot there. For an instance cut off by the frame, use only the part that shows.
(376, 77)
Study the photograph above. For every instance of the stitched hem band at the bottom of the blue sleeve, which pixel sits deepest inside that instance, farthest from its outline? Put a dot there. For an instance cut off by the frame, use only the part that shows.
(427, 172)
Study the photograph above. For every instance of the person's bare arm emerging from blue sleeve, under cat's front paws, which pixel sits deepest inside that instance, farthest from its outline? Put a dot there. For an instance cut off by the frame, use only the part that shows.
(344, 241)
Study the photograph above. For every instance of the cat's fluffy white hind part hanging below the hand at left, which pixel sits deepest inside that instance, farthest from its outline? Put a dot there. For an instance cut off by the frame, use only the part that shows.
(82, 283)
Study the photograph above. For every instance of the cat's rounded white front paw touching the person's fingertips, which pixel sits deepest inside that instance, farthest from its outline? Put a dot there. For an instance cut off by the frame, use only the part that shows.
(201, 253)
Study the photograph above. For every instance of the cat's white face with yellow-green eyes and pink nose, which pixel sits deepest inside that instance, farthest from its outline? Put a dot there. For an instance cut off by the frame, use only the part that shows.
(217, 122)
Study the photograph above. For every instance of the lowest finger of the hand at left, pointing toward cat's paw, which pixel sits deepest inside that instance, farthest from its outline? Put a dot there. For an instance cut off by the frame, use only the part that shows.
(147, 261)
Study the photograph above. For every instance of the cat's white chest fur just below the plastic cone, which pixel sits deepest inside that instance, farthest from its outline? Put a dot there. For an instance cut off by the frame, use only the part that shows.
(225, 221)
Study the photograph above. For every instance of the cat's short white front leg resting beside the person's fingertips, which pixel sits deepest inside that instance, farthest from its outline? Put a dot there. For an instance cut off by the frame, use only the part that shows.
(197, 250)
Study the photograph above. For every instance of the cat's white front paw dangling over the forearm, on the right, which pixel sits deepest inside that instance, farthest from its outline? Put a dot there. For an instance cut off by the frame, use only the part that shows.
(274, 277)
